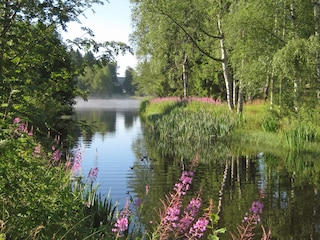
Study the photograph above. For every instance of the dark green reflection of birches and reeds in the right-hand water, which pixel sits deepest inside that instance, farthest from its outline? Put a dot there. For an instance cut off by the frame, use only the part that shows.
(287, 185)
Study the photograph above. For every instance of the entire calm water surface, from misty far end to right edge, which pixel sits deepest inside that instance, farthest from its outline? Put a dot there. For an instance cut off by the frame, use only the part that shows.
(129, 158)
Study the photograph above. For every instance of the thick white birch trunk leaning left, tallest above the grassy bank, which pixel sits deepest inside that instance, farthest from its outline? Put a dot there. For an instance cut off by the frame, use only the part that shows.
(224, 62)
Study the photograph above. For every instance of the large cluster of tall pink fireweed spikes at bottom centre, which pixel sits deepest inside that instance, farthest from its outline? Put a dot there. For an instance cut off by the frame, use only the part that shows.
(182, 224)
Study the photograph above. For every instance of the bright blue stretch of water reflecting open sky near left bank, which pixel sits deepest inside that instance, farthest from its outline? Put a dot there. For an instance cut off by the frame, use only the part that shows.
(109, 148)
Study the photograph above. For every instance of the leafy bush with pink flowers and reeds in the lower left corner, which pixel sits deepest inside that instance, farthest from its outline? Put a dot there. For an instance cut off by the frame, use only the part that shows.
(40, 198)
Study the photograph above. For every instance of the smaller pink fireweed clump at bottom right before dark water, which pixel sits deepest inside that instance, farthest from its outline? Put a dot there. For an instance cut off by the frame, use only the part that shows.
(249, 223)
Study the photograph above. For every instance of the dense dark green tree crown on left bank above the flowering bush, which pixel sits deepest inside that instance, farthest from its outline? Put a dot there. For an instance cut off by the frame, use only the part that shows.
(41, 73)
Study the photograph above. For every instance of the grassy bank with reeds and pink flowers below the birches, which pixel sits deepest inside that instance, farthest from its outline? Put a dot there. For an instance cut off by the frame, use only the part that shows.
(257, 128)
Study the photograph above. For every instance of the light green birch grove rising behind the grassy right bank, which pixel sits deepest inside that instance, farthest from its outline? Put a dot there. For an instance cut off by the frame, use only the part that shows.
(233, 50)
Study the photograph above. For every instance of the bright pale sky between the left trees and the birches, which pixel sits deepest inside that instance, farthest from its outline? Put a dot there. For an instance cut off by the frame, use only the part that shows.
(110, 22)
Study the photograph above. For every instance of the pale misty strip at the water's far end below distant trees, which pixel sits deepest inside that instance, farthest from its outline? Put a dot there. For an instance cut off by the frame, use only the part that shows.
(112, 103)
